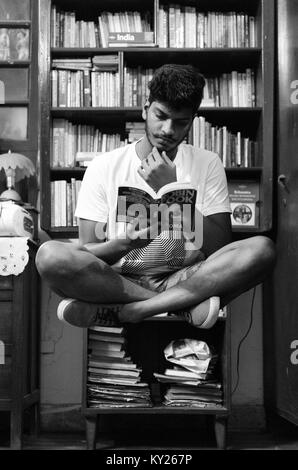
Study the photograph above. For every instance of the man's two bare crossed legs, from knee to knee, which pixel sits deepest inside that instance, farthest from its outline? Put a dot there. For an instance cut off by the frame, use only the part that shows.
(235, 268)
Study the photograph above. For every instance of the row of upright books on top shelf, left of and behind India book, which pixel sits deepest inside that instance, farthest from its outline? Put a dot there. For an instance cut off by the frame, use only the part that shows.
(68, 31)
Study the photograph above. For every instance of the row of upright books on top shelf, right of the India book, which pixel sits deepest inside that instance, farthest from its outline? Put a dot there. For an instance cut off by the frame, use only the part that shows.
(185, 26)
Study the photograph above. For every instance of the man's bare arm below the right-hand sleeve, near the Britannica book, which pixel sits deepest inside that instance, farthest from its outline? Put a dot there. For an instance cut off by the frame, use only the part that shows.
(217, 232)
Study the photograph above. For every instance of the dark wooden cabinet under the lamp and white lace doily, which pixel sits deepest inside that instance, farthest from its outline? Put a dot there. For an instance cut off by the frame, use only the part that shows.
(19, 336)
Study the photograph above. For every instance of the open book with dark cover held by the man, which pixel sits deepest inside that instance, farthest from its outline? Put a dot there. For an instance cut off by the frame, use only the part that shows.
(172, 208)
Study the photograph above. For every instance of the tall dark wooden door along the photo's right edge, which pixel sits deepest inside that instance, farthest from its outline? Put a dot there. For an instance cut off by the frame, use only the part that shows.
(282, 324)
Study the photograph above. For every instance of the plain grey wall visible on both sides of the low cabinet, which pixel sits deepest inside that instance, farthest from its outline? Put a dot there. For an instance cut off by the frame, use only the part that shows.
(61, 364)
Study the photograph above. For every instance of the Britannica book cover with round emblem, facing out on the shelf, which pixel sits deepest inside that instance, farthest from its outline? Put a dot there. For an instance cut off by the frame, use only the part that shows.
(244, 201)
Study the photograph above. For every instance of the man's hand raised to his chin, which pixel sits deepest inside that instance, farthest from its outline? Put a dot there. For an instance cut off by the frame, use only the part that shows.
(157, 170)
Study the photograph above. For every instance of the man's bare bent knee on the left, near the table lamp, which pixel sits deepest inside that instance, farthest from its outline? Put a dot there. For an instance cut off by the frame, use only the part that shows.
(52, 259)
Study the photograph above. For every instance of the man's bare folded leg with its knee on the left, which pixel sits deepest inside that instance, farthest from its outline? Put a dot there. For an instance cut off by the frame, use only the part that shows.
(74, 272)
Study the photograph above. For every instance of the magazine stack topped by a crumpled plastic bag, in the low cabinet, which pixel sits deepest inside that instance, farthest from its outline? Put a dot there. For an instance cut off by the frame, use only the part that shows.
(191, 381)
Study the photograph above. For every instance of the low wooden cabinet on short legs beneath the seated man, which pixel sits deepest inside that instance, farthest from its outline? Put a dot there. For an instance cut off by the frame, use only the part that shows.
(146, 342)
